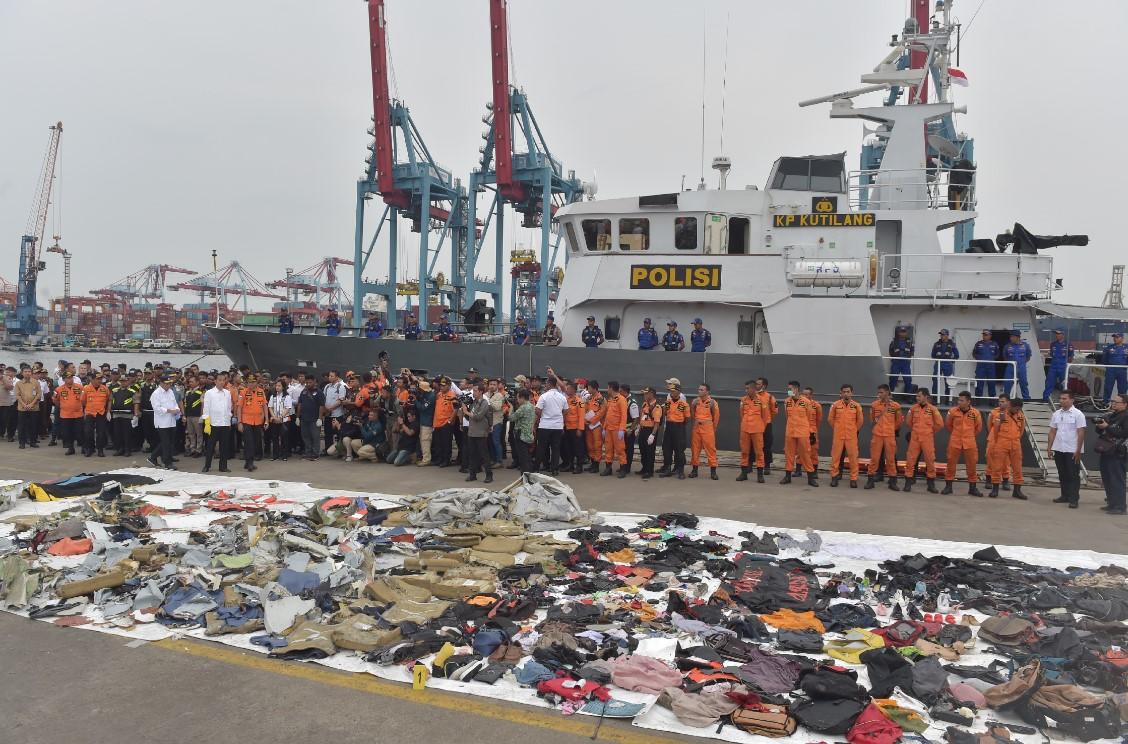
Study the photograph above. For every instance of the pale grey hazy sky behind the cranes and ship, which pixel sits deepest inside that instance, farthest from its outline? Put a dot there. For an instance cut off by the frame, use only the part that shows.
(241, 126)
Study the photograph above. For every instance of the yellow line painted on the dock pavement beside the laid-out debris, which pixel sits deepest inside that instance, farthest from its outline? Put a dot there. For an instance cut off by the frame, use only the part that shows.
(462, 704)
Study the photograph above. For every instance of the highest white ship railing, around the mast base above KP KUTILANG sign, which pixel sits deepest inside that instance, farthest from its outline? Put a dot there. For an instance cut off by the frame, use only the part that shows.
(914, 189)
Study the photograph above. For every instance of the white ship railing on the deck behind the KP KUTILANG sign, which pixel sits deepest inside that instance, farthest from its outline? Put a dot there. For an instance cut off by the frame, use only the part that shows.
(954, 276)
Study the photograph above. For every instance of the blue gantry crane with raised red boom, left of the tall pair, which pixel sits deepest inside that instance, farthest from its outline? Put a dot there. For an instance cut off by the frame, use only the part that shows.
(403, 173)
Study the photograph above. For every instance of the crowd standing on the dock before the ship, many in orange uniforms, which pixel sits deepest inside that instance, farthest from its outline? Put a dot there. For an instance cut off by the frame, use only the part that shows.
(548, 423)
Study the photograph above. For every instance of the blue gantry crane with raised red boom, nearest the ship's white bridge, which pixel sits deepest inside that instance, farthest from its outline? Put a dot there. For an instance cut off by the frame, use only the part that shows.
(532, 181)
